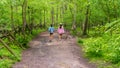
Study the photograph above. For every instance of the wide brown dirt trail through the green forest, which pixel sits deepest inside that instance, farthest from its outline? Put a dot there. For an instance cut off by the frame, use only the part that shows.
(56, 54)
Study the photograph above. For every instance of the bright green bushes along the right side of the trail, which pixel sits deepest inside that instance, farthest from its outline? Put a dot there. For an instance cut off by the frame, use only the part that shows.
(105, 45)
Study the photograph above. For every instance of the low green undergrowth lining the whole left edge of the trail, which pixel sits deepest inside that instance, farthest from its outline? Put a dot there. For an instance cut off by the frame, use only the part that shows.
(8, 58)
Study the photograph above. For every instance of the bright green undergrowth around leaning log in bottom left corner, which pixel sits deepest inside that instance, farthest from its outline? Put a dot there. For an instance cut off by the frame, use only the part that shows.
(8, 58)
